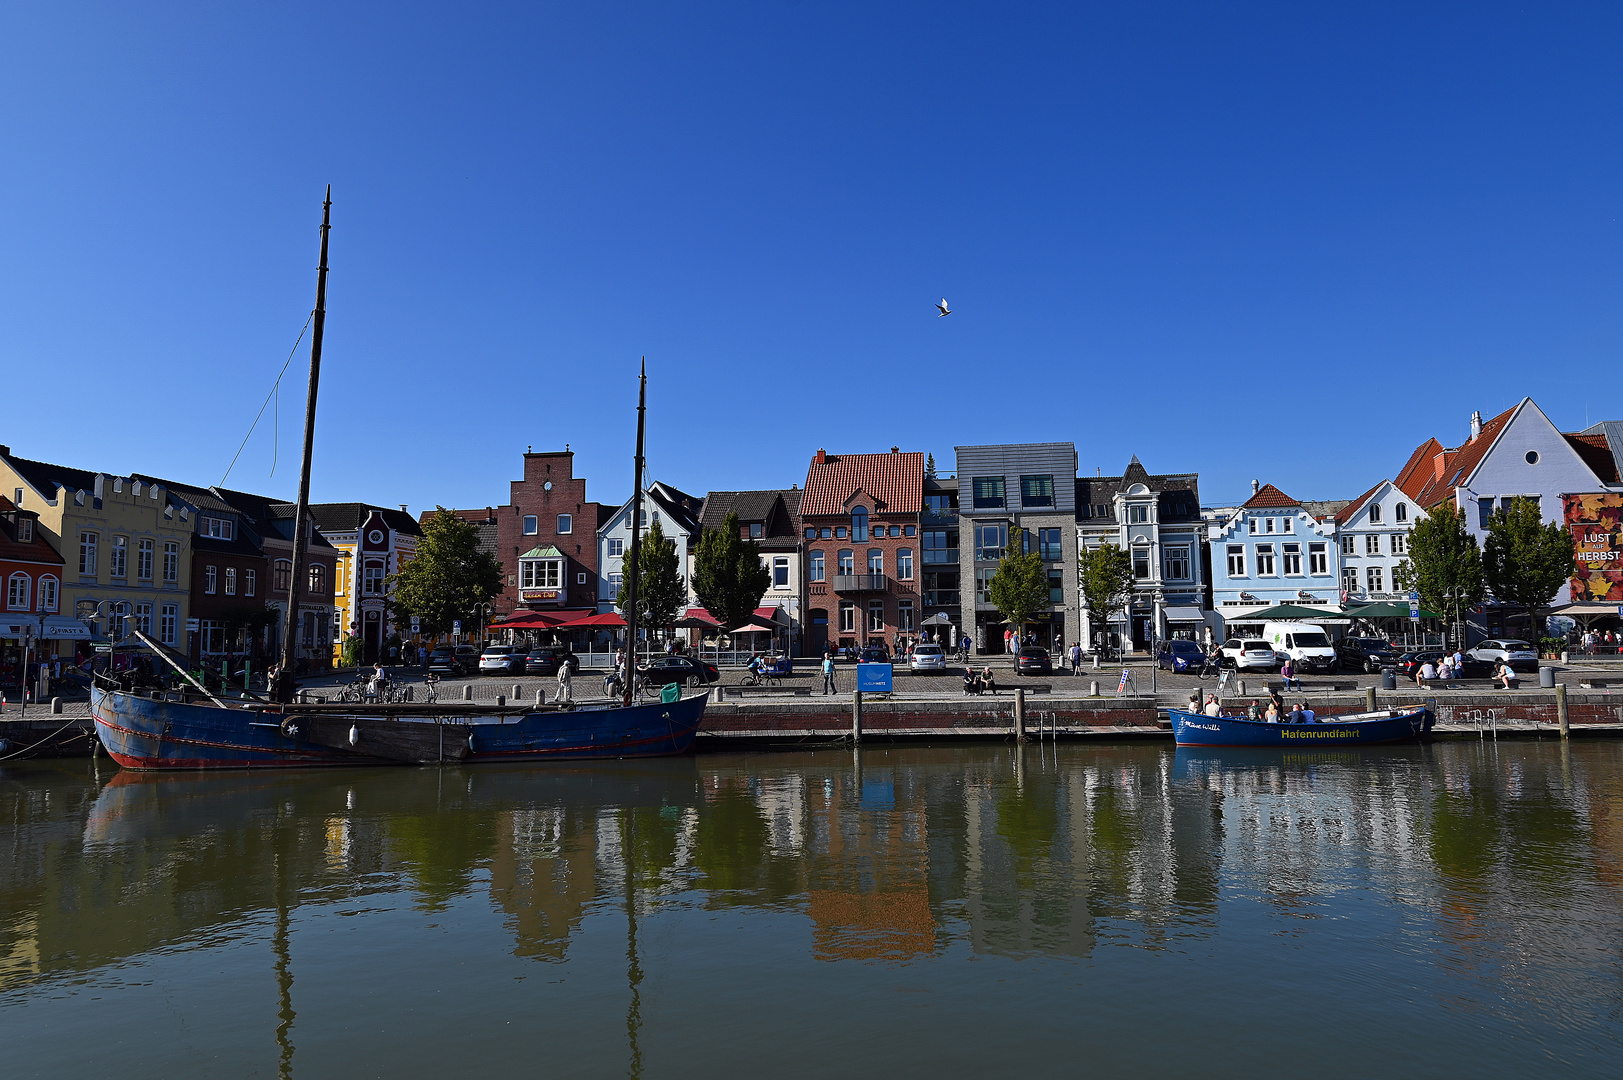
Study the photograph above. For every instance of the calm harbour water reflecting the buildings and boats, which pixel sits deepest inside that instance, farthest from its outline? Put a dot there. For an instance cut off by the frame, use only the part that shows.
(1452, 910)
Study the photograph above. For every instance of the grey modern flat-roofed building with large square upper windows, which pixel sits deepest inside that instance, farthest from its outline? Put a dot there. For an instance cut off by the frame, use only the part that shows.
(1020, 486)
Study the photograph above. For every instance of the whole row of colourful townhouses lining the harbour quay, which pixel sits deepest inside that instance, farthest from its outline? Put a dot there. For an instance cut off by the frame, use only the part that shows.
(869, 548)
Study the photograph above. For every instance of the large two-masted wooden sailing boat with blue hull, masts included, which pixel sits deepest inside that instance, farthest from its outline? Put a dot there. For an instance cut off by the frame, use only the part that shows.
(192, 728)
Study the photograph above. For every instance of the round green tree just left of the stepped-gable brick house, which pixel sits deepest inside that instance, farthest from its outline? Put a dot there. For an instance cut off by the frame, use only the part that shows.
(449, 577)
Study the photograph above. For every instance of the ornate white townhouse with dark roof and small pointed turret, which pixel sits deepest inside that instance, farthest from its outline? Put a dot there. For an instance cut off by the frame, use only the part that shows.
(1156, 519)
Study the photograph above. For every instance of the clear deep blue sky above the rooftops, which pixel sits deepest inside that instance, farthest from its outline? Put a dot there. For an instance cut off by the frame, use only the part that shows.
(1252, 241)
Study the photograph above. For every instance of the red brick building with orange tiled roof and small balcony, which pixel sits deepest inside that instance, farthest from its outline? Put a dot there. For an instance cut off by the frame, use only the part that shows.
(859, 521)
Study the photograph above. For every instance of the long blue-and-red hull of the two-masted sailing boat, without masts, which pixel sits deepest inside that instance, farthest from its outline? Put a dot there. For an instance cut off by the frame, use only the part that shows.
(165, 733)
